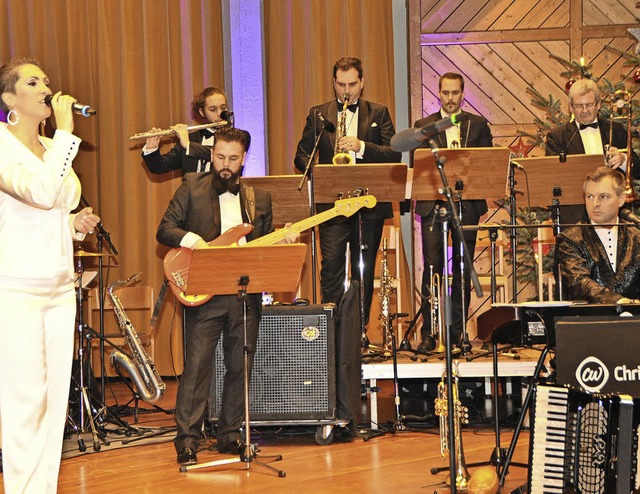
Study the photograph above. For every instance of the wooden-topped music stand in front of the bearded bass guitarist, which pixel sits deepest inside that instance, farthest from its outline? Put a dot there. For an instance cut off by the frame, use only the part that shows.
(255, 270)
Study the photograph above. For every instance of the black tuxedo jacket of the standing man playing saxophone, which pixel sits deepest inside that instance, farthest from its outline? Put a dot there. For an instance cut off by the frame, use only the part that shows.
(375, 128)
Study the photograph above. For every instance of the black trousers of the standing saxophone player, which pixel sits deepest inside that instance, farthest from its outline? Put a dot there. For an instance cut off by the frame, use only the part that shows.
(334, 236)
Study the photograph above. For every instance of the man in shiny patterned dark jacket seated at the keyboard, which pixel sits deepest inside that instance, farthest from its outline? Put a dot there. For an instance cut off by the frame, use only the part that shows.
(600, 263)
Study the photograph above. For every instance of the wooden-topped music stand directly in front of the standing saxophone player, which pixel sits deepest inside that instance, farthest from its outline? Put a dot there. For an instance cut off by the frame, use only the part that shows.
(385, 181)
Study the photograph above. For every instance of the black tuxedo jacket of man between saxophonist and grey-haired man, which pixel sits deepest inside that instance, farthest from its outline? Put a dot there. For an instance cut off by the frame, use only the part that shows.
(474, 133)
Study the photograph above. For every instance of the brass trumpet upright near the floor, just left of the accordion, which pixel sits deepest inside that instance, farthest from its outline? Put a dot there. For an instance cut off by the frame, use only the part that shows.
(461, 416)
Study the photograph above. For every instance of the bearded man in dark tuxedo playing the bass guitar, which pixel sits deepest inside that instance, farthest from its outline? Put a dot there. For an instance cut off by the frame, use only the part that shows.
(205, 206)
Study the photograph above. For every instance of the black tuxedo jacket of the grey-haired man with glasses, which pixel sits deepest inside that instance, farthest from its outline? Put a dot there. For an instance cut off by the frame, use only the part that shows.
(566, 139)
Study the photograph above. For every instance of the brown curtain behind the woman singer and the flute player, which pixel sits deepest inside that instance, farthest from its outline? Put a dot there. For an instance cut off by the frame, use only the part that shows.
(139, 63)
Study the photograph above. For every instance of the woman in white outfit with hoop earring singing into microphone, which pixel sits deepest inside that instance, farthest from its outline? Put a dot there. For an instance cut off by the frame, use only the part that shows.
(38, 191)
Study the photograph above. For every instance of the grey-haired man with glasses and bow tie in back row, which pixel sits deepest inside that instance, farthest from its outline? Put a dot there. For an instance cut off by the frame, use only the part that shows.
(588, 133)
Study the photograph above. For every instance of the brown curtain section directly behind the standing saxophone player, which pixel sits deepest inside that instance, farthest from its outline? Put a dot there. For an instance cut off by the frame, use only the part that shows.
(303, 39)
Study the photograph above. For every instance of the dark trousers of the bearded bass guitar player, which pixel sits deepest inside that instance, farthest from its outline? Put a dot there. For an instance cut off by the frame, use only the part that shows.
(205, 325)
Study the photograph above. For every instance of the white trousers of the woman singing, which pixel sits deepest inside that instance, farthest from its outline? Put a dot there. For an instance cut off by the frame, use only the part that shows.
(36, 352)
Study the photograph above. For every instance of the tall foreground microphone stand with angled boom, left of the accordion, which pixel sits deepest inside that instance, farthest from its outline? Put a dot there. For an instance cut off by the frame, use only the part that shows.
(446, 303)
